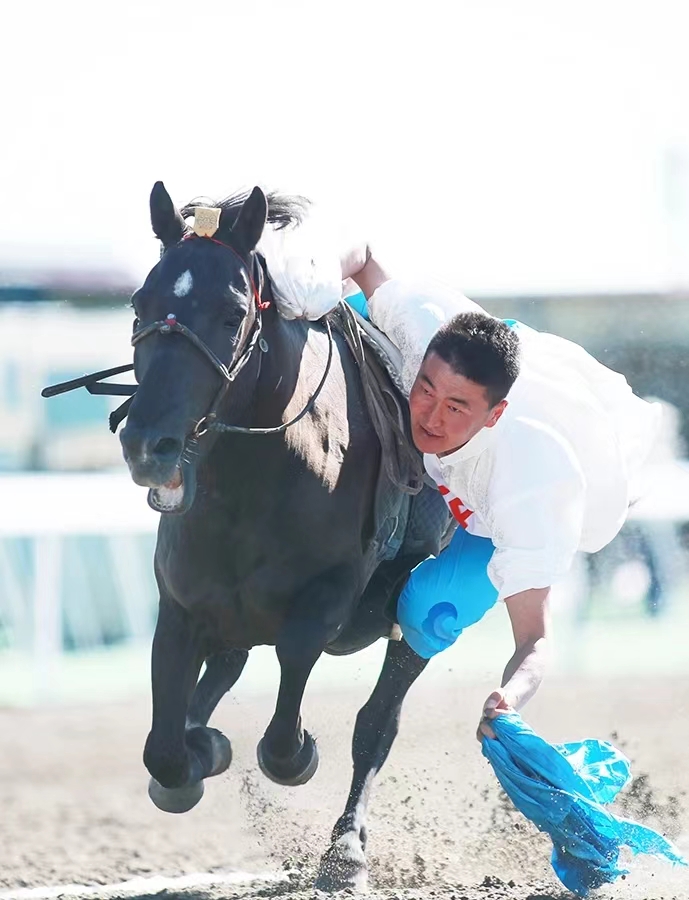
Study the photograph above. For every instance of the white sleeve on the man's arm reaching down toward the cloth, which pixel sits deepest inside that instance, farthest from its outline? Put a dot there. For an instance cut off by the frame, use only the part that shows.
(537, 528)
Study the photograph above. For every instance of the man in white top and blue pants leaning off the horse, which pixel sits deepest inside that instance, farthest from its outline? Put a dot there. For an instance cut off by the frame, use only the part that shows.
(535, 447)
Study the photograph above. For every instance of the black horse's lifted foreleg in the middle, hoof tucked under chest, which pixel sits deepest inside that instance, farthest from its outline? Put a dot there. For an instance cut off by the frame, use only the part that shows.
(287, 753)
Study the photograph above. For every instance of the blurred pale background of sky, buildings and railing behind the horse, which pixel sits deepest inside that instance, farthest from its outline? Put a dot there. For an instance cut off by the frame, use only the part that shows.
(535, 155)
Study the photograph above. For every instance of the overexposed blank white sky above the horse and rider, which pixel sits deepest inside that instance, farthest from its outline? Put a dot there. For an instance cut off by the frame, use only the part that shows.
(503, 145)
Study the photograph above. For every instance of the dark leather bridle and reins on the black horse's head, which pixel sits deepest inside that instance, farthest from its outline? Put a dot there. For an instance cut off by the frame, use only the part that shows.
(246, 344)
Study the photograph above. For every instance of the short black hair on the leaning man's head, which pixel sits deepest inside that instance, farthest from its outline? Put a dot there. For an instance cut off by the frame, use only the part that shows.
(482, 349)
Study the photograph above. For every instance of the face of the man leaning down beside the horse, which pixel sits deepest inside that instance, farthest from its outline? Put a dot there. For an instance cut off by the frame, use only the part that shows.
(447, 409)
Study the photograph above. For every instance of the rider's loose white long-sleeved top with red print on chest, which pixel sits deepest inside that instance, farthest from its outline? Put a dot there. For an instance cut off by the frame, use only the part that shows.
(556, 473)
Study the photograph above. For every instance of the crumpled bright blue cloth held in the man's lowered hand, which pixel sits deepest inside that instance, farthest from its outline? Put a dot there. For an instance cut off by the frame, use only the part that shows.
(561, 789)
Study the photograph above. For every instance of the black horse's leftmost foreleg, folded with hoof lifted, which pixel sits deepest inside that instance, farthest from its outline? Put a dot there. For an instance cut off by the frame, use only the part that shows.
(178, 760)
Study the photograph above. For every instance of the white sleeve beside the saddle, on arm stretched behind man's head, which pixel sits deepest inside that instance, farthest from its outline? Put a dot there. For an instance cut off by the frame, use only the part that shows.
(410, 313)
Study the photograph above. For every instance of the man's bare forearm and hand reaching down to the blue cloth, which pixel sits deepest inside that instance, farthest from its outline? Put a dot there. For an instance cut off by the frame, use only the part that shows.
(529, 614)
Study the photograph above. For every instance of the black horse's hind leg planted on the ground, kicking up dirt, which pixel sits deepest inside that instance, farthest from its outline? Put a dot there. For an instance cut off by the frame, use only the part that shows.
(344, 863)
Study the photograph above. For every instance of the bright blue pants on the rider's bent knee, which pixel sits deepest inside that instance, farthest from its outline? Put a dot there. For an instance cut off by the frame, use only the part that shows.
(446, 594)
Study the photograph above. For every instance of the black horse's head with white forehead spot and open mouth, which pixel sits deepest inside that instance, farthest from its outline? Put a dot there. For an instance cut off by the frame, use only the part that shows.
(198, 316)
